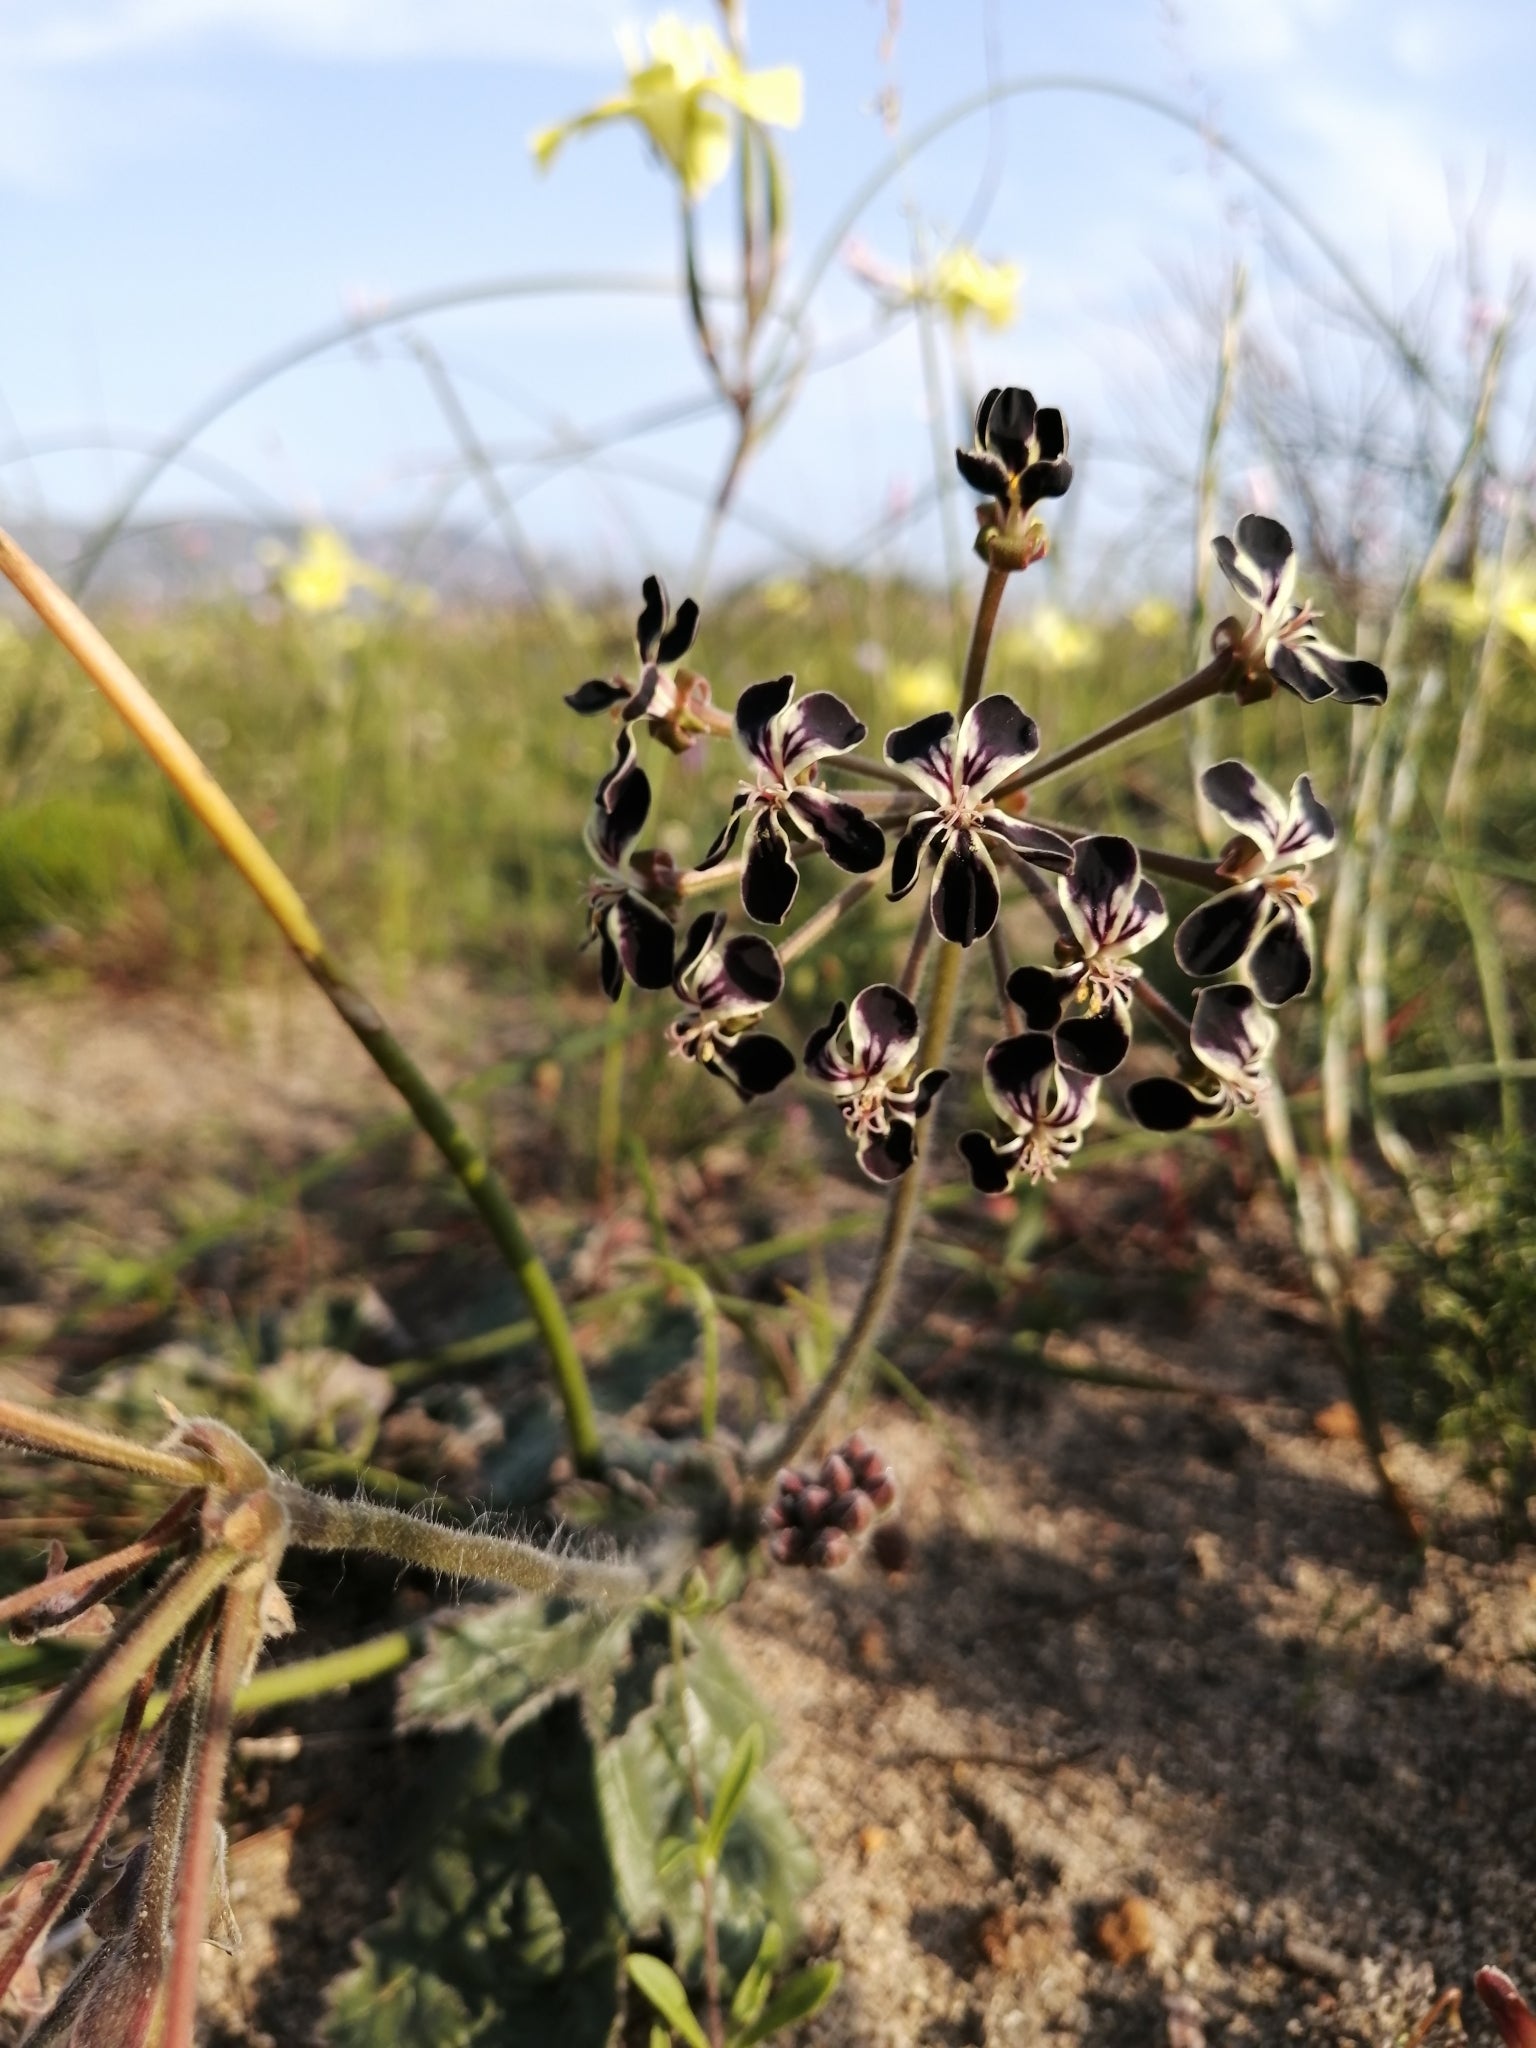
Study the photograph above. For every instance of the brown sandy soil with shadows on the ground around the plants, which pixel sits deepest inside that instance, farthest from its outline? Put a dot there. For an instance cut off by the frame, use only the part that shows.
(1162, 1738)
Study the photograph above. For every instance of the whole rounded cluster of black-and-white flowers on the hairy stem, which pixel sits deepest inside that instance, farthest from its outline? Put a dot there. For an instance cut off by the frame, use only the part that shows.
(947, 802)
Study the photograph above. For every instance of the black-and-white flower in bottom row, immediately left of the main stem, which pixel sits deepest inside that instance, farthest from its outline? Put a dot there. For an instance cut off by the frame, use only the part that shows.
(867, 1056)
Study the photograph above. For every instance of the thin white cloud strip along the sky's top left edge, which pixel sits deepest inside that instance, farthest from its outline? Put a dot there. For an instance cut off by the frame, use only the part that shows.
(65, 34)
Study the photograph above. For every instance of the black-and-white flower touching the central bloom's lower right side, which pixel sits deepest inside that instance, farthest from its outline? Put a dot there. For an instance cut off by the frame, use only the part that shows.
(1086, 1000)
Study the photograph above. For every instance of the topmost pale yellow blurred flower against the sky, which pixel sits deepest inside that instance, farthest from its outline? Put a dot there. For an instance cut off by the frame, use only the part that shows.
(679, 89)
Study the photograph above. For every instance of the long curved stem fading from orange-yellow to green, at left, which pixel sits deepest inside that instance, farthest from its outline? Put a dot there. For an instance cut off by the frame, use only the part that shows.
(284, 902)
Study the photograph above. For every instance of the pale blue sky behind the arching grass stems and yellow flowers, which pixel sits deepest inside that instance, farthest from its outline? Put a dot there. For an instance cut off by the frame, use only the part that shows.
(189, 183)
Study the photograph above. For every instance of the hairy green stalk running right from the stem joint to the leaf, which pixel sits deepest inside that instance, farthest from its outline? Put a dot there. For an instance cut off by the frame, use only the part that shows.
(318, 1523)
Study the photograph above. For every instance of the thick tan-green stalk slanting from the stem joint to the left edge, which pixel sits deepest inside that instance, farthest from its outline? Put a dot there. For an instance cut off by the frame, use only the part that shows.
(40, 1764)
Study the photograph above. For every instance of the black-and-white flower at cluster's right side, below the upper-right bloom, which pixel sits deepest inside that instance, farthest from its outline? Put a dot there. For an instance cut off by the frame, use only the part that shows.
(1263, 921)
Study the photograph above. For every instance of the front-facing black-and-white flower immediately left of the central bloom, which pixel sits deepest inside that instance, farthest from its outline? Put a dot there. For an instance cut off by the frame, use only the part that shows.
(785, 742)
